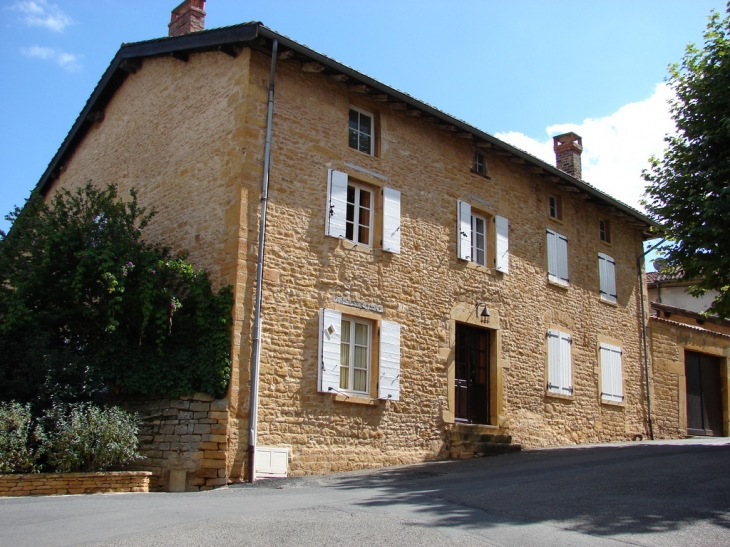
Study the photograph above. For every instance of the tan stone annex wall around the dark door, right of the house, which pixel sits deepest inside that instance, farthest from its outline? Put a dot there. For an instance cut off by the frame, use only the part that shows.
(669, 339)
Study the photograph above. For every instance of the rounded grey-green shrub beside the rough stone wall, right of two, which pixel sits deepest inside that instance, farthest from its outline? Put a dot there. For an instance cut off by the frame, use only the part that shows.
(89, 438)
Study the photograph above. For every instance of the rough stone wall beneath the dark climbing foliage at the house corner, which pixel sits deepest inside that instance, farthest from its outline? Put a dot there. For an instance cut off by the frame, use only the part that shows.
(183, 442)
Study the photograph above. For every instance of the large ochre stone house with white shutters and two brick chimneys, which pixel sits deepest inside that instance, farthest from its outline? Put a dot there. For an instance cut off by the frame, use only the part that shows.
(424, 290)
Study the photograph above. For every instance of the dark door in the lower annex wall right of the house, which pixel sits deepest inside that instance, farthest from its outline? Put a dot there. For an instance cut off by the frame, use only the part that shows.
(704, 402)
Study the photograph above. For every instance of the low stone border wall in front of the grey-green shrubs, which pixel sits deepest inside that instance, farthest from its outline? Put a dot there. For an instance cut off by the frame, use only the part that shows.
(39, 484)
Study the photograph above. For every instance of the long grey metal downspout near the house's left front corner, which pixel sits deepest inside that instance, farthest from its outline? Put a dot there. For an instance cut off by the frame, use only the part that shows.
(256, 351)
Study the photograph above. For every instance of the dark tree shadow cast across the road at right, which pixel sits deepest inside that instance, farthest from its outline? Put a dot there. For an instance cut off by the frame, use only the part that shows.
(598, 490)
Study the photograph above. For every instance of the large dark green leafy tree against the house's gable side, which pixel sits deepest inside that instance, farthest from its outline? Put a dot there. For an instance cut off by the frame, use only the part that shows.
(89, 310)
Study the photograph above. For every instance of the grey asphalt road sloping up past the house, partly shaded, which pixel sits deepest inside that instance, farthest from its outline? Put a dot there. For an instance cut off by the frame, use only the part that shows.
(659, 494)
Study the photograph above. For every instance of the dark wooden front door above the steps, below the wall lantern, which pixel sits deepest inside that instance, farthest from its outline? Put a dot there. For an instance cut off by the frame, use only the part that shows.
(472, 374)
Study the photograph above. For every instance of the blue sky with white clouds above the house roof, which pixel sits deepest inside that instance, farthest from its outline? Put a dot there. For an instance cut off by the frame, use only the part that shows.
(522, 70)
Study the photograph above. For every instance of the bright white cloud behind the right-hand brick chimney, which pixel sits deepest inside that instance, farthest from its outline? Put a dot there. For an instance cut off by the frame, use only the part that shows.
(615, 148)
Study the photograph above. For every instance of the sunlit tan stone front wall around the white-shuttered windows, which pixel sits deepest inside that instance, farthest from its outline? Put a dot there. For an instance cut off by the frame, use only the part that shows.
(421, 288)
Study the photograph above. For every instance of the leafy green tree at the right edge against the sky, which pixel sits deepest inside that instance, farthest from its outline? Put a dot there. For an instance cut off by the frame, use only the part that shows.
(689, 187)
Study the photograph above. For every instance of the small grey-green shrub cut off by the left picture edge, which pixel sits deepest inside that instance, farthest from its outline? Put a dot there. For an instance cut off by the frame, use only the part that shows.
(21, 439)
